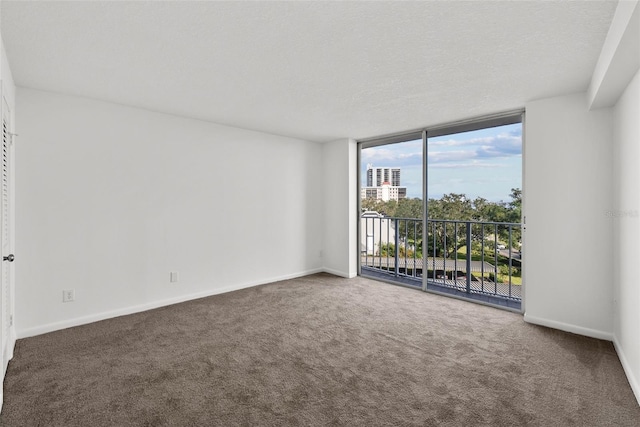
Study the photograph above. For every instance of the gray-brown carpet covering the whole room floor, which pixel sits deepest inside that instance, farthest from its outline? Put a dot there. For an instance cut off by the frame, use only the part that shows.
(319, 350)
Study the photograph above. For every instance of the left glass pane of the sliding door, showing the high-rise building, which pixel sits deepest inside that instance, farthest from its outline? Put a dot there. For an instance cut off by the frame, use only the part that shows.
(392, 208)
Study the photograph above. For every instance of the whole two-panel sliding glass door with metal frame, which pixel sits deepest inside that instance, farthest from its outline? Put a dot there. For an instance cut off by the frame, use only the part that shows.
(448, 221)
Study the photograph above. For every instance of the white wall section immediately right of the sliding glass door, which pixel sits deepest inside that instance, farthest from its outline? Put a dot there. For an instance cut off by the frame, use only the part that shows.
(569, 244)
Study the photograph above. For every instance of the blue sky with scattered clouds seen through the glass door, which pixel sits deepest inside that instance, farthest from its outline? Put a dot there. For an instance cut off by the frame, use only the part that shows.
(484, 163)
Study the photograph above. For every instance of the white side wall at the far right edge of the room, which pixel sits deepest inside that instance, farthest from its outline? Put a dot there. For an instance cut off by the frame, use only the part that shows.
(626, 250)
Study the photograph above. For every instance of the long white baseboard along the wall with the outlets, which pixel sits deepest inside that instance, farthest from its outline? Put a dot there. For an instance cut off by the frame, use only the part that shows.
(69, 323)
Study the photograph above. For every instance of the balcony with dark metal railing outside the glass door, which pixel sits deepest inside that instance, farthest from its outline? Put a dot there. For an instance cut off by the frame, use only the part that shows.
(469, 259)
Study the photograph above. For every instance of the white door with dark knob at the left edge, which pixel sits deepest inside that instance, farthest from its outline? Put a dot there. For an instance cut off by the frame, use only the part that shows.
(6, 308)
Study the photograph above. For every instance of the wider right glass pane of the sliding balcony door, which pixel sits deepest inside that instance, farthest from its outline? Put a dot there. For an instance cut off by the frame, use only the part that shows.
(474, 207)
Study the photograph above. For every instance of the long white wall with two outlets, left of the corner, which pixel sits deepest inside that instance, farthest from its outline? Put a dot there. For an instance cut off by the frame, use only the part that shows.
(111, 199)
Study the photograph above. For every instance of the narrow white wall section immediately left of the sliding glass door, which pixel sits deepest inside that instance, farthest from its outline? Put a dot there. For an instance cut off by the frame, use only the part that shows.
(340, 207)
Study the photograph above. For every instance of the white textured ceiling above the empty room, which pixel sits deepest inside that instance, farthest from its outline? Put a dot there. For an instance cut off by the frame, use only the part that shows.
(312, 70)
